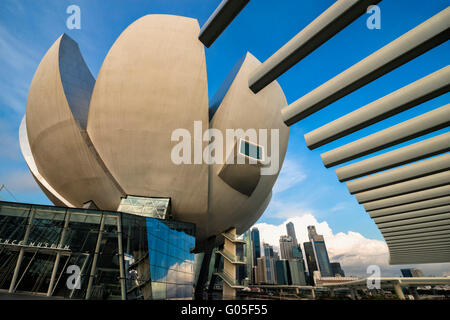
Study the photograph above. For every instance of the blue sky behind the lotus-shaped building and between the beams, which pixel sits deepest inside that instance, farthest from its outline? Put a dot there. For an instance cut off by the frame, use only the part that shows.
(29, 27)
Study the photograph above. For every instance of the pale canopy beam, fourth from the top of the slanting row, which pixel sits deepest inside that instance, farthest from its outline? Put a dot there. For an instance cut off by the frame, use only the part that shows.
(398, 101)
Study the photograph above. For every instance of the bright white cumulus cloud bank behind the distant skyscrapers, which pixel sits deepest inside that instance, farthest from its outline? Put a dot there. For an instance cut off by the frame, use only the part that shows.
(351, 249)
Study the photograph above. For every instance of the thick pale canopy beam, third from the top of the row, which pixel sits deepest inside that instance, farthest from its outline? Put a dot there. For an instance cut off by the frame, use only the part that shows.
(422, 38)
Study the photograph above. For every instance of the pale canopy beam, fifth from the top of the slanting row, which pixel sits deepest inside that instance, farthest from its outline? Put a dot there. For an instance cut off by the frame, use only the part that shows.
(407, 130)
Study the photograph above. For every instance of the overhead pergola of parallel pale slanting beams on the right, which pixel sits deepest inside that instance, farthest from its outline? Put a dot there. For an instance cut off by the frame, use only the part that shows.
(406, 191)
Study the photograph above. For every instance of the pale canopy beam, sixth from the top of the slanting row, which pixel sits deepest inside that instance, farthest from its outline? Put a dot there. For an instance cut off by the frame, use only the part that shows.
(417, 151)
